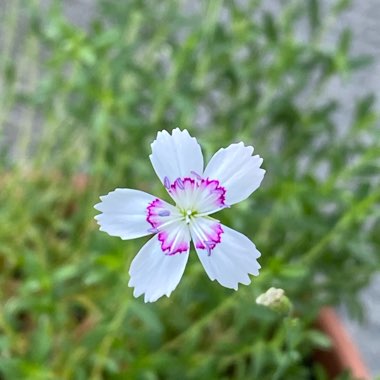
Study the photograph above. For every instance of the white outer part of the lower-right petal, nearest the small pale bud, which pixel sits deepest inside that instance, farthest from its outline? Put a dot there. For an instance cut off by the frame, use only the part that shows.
(231, 260)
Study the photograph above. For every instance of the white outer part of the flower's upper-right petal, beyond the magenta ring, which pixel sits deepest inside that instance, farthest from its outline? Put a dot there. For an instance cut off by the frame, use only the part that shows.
(237, 171)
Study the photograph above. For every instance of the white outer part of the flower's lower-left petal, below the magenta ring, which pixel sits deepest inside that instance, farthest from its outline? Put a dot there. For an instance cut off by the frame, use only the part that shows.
(154, 273)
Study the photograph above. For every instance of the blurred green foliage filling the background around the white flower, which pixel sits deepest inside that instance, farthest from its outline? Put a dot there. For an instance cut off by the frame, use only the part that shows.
(79, 108)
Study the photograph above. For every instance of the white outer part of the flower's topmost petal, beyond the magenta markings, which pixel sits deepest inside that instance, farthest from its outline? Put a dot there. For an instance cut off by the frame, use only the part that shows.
(176, 155)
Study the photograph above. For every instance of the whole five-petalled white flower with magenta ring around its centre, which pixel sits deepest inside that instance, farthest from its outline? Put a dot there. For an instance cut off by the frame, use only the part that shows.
(227, 255)
